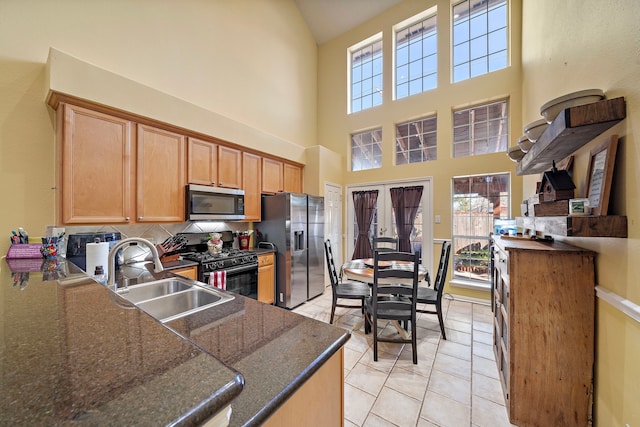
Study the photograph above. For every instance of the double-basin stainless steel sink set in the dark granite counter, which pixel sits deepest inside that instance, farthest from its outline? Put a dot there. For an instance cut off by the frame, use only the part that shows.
(172, 298)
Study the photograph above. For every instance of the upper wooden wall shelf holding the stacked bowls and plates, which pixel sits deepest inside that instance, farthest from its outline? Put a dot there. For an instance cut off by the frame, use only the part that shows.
(573, 128)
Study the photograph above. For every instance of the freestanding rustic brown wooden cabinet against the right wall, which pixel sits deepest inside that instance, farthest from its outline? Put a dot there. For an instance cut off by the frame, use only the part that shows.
(544, 324)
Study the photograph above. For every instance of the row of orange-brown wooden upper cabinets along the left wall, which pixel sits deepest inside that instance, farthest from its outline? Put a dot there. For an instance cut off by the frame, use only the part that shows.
(117, 168)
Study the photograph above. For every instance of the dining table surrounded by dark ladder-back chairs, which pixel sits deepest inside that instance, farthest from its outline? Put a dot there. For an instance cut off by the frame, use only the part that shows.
(361, 270)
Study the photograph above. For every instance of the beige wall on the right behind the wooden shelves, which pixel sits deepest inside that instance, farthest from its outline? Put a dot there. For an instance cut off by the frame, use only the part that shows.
(569, 46)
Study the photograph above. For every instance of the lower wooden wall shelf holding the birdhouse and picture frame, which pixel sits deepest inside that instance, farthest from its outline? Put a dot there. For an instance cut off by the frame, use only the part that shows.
(576, 226)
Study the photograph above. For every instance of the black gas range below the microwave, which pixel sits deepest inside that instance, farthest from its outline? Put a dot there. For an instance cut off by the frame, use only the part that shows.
(240, 267)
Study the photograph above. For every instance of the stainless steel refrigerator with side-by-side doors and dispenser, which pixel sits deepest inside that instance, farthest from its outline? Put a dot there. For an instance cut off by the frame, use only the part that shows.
(294, 223)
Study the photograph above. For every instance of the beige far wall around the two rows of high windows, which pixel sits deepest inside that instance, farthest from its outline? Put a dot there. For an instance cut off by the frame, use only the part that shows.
(335, 125)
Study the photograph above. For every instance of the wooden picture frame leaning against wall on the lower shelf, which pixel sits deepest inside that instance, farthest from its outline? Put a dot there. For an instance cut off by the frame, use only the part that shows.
(599, 175)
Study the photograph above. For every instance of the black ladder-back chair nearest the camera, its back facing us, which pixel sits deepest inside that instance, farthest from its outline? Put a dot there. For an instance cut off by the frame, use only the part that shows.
(393, 297)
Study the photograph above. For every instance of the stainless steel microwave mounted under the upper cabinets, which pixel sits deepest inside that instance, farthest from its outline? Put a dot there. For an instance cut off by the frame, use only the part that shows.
(207, 203)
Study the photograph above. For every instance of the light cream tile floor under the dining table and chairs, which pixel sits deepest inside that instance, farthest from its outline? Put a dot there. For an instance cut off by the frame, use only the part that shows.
(455, 382)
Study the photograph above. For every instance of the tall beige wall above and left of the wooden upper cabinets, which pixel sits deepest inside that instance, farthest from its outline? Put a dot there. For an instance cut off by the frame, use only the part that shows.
(251, 61)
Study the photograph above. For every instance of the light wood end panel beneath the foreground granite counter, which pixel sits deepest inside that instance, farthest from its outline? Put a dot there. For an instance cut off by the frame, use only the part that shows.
(319, 402)
